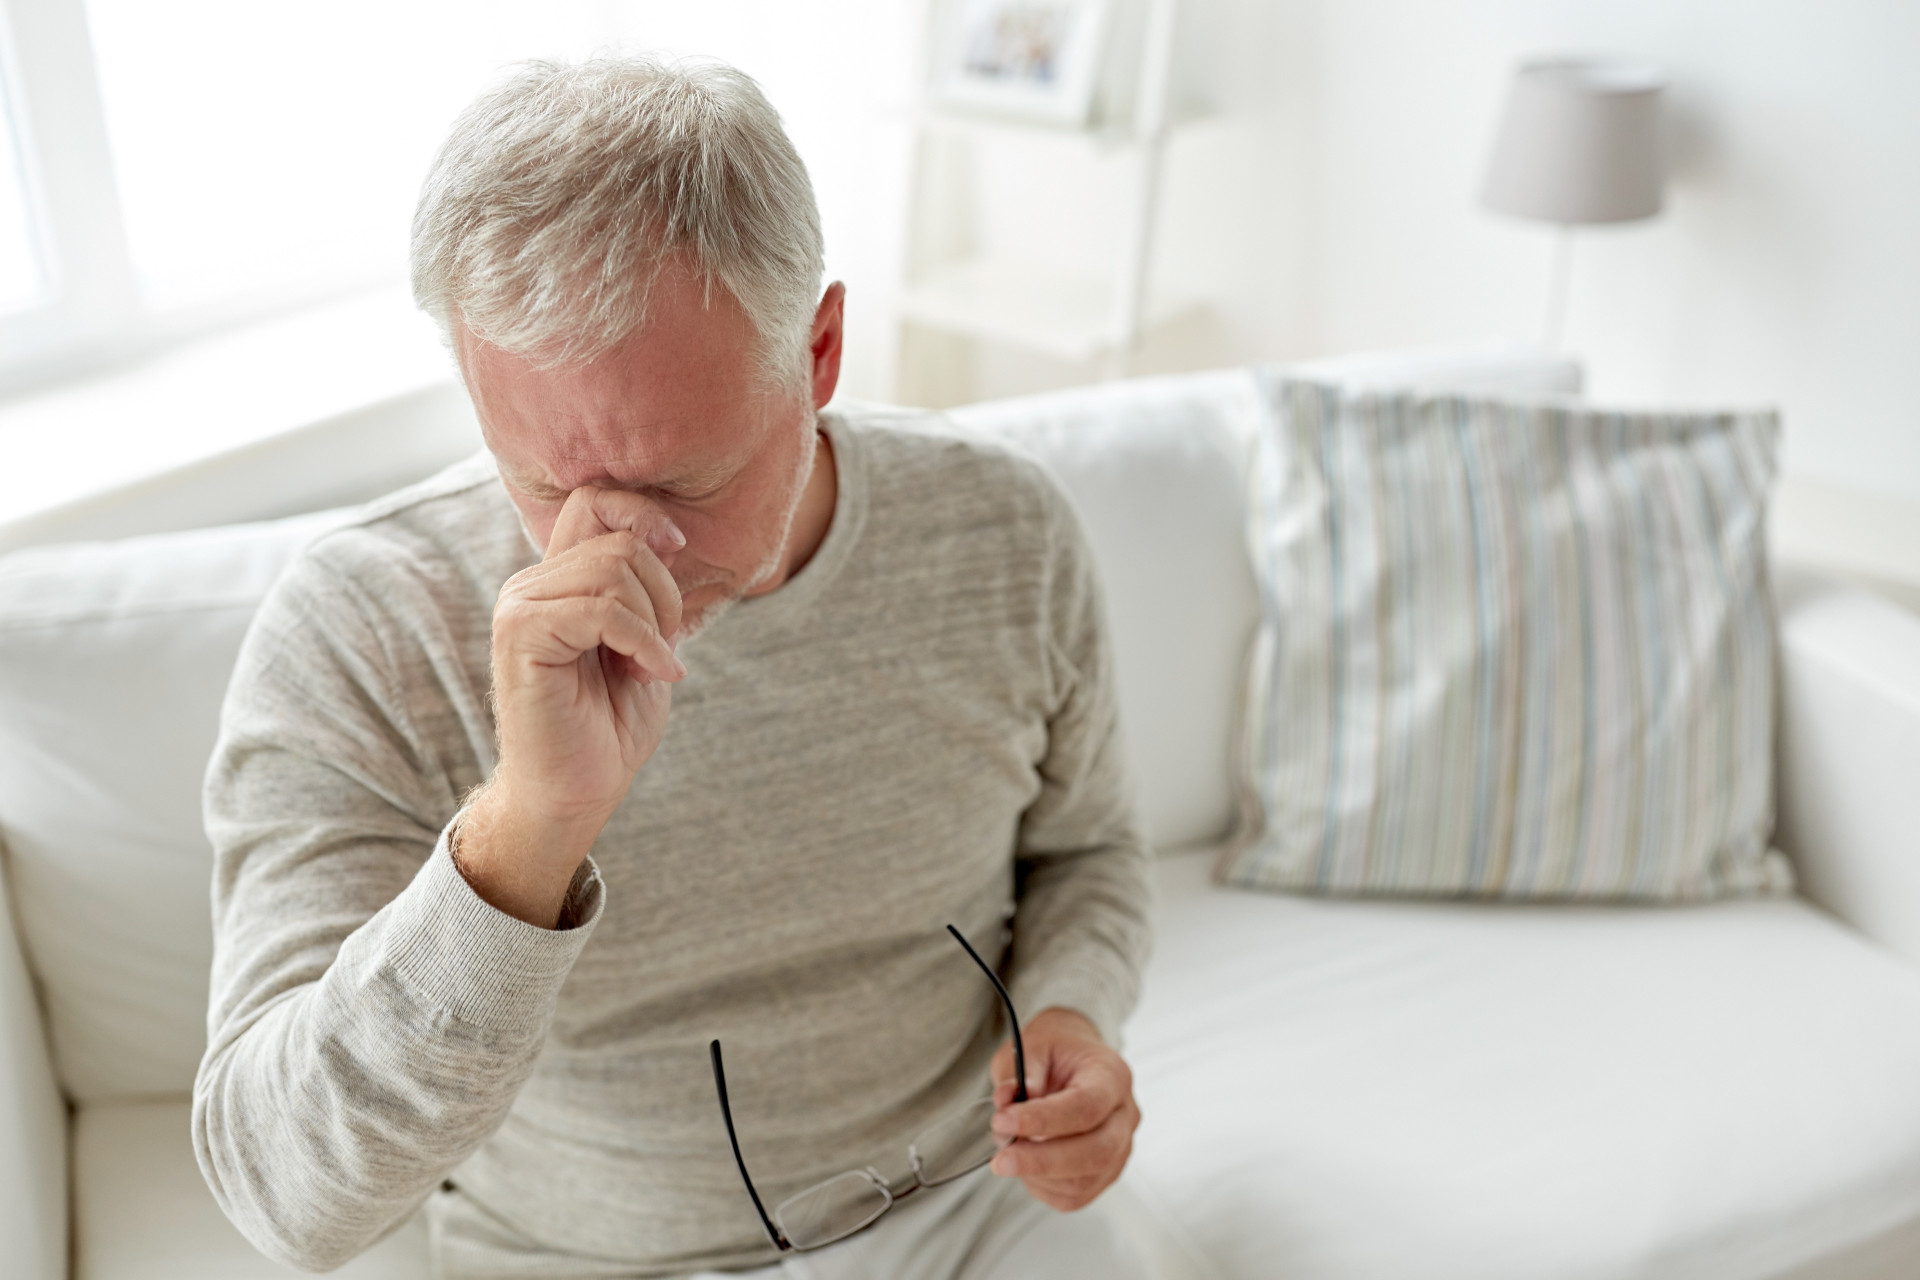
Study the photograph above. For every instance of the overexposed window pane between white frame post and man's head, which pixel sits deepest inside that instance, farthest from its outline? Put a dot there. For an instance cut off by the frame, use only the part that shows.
(277, 151)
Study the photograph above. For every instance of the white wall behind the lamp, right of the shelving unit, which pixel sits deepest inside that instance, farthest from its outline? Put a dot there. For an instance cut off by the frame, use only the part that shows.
(1335, 208)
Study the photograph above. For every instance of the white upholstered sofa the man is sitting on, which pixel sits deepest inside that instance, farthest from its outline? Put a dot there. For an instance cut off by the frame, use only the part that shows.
(1332, 1089)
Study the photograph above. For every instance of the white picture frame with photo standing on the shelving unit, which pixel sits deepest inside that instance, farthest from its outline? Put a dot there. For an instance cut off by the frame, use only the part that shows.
(1034, 60)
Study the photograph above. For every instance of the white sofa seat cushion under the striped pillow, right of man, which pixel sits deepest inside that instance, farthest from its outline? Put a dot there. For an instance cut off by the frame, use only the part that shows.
(1404, 1091)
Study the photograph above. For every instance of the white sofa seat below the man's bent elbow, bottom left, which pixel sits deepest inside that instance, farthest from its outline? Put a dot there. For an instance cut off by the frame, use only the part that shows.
(141, 1210)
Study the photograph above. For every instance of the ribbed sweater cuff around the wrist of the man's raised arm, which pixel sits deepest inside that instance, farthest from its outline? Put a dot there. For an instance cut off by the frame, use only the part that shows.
(462, 955)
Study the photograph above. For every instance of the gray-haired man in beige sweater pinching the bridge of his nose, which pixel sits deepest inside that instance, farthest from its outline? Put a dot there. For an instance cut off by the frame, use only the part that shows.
(684, 717)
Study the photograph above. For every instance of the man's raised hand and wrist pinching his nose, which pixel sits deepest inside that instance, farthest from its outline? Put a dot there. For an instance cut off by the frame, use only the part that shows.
(583, 680)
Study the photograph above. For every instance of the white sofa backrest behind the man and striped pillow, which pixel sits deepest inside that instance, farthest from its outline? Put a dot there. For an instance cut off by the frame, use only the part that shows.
(114, 659)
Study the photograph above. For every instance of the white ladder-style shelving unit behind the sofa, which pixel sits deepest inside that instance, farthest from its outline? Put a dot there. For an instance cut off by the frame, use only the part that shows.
(1020, 300)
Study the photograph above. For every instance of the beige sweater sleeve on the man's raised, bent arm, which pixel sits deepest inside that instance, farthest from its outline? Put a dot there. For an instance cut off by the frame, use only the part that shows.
(372, 1018)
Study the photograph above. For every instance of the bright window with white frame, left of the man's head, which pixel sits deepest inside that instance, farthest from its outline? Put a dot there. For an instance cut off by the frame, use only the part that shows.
(172, 168)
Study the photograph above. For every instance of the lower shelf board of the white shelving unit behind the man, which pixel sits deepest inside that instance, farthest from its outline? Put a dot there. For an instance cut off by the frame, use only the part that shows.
(1051, 310)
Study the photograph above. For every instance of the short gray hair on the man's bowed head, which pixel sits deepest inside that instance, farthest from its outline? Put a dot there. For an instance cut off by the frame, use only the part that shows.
(567, 189)
